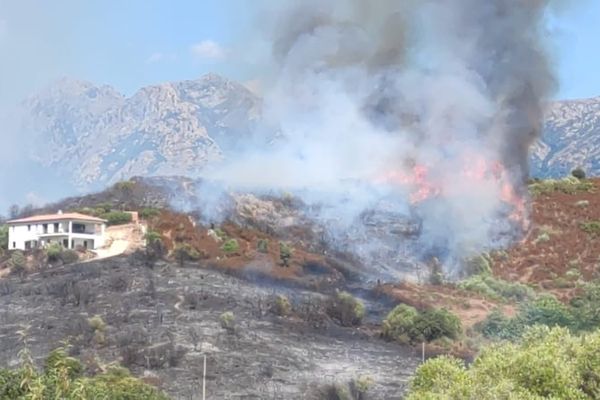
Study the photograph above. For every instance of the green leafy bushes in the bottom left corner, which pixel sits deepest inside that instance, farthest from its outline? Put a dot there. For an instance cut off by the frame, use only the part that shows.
(62, 378)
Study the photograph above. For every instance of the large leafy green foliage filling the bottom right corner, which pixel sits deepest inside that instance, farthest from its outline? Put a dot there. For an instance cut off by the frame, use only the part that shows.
(547, 363)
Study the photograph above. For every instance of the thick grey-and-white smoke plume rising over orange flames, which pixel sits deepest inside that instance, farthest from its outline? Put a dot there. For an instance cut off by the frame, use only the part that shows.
(423, 110)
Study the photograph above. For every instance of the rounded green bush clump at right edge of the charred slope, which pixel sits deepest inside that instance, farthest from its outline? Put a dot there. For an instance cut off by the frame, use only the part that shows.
(407, 325)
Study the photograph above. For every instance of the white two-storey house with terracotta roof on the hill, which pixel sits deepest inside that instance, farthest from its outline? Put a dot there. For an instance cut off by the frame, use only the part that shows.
(71, 230)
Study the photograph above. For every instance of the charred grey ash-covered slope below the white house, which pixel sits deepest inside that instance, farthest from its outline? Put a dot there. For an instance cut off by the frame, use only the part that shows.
(161, 321)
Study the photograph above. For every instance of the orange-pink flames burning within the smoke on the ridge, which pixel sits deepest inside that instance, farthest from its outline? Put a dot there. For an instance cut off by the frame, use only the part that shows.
(475, 171)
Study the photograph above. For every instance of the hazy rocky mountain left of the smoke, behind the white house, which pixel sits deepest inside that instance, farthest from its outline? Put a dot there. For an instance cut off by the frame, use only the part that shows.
(94, 135)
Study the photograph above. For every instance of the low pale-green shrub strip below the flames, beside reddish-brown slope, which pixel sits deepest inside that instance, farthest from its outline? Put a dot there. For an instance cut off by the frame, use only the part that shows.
(496, 289)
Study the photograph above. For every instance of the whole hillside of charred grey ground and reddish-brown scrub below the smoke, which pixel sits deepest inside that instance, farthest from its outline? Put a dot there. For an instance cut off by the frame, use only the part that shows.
(162, 313)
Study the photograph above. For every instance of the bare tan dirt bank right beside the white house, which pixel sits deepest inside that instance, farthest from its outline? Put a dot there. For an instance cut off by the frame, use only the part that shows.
(121, 239)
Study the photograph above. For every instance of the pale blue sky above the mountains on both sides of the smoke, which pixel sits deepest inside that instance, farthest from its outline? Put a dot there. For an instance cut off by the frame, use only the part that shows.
(132, 43)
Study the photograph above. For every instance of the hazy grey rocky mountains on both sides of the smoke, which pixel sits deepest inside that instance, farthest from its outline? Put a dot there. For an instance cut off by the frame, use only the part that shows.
(93, 135)
